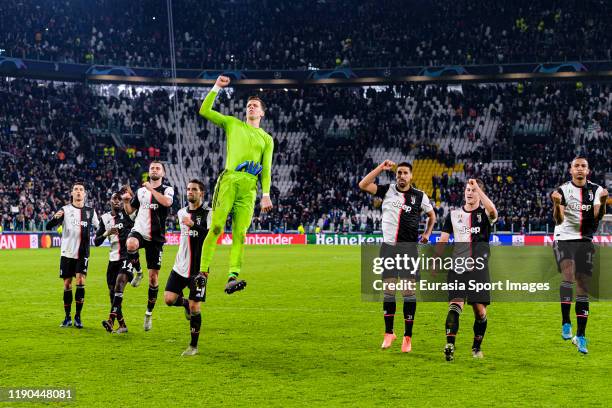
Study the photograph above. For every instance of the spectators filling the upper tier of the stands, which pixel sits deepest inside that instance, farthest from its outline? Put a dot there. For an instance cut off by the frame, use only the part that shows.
(284, 34)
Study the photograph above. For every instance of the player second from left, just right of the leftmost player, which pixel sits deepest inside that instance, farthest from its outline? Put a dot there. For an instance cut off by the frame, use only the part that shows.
(116, 225)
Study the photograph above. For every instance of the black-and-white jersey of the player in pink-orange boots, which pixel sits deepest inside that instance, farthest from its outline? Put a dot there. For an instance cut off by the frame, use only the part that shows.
(402, 212)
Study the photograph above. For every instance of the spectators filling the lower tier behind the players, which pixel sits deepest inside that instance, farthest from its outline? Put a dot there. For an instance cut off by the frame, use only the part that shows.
(53, 134)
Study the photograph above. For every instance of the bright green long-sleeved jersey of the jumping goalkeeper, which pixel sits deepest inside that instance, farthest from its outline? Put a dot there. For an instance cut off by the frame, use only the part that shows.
(244, 142)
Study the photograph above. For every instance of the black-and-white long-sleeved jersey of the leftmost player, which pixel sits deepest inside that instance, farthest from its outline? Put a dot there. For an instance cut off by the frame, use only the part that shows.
(76, 230)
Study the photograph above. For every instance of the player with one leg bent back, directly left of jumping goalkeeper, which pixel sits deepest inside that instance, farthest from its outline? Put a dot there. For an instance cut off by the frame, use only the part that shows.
(186, 270)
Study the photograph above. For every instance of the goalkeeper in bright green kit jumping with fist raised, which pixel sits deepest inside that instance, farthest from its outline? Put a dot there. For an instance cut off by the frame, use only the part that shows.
(248, 155)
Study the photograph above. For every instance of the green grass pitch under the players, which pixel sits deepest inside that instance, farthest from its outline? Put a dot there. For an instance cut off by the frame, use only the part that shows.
(299, 335)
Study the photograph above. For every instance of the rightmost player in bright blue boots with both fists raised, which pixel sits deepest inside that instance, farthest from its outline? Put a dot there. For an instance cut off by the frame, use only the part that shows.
(578, 206)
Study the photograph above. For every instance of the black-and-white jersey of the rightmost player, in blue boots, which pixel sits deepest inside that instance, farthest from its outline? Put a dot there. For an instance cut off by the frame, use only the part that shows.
(579, 214)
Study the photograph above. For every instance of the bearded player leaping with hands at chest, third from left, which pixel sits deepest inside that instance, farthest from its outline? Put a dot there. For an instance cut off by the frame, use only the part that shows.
(152, 201)
